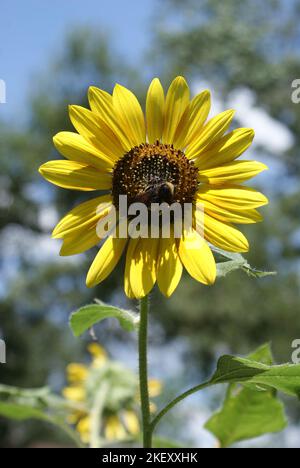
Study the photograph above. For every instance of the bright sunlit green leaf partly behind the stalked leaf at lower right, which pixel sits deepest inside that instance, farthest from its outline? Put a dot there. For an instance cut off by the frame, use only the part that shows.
(248, 413)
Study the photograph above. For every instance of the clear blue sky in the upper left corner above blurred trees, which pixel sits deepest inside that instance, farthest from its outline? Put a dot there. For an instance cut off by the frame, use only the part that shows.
(33, 30)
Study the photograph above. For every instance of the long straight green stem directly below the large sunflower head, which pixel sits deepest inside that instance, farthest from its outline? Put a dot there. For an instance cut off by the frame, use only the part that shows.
(143, 373)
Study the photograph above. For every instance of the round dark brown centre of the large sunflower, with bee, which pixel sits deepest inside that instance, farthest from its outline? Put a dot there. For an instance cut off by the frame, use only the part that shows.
(155, 174)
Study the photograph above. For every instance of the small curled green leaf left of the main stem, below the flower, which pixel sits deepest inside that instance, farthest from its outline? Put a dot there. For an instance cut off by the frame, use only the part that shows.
(89, 315)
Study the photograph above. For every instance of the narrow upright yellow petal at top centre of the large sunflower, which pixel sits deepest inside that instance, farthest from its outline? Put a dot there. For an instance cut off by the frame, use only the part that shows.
(155, 111)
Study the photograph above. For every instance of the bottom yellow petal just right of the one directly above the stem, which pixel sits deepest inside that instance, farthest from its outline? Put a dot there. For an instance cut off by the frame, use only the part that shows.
(169, 266)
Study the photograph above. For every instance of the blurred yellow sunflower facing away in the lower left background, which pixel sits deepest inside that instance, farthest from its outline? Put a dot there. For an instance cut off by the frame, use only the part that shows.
(118, 422)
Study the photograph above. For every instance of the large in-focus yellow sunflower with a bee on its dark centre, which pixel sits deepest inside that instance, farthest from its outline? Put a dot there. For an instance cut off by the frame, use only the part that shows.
(175, 154)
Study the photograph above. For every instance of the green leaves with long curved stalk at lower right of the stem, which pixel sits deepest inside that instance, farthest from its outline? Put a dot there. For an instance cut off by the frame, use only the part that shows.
(251, 407)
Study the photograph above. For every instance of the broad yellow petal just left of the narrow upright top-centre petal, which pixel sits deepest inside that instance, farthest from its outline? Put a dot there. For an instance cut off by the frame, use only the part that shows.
(130, 115)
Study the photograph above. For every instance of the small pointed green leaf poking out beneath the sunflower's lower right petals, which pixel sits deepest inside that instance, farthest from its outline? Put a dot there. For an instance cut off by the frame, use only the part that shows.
(228, 262)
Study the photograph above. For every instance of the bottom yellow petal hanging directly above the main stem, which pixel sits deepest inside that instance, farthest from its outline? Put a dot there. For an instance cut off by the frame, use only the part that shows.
(141, 263)
